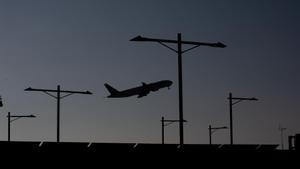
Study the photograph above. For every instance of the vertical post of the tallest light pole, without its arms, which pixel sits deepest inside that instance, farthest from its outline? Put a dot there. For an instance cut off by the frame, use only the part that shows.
(179, 44)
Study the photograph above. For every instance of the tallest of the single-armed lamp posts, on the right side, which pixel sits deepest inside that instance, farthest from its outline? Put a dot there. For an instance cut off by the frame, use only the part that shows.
(231, 103)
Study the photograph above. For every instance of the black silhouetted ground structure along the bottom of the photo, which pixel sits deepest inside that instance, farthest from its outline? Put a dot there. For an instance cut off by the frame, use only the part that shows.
(91, 155)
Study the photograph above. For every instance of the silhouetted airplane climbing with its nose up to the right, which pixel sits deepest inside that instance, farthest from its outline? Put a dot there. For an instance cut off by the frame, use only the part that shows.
(141, 91)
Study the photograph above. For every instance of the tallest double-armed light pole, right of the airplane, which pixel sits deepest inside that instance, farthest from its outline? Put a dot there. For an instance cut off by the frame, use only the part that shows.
(179, 42)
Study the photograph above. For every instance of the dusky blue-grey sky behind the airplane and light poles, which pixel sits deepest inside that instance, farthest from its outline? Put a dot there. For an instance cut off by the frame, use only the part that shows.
(82, 44)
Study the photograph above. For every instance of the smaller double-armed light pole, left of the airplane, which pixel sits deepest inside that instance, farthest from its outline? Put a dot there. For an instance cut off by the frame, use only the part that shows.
(58, 97)
